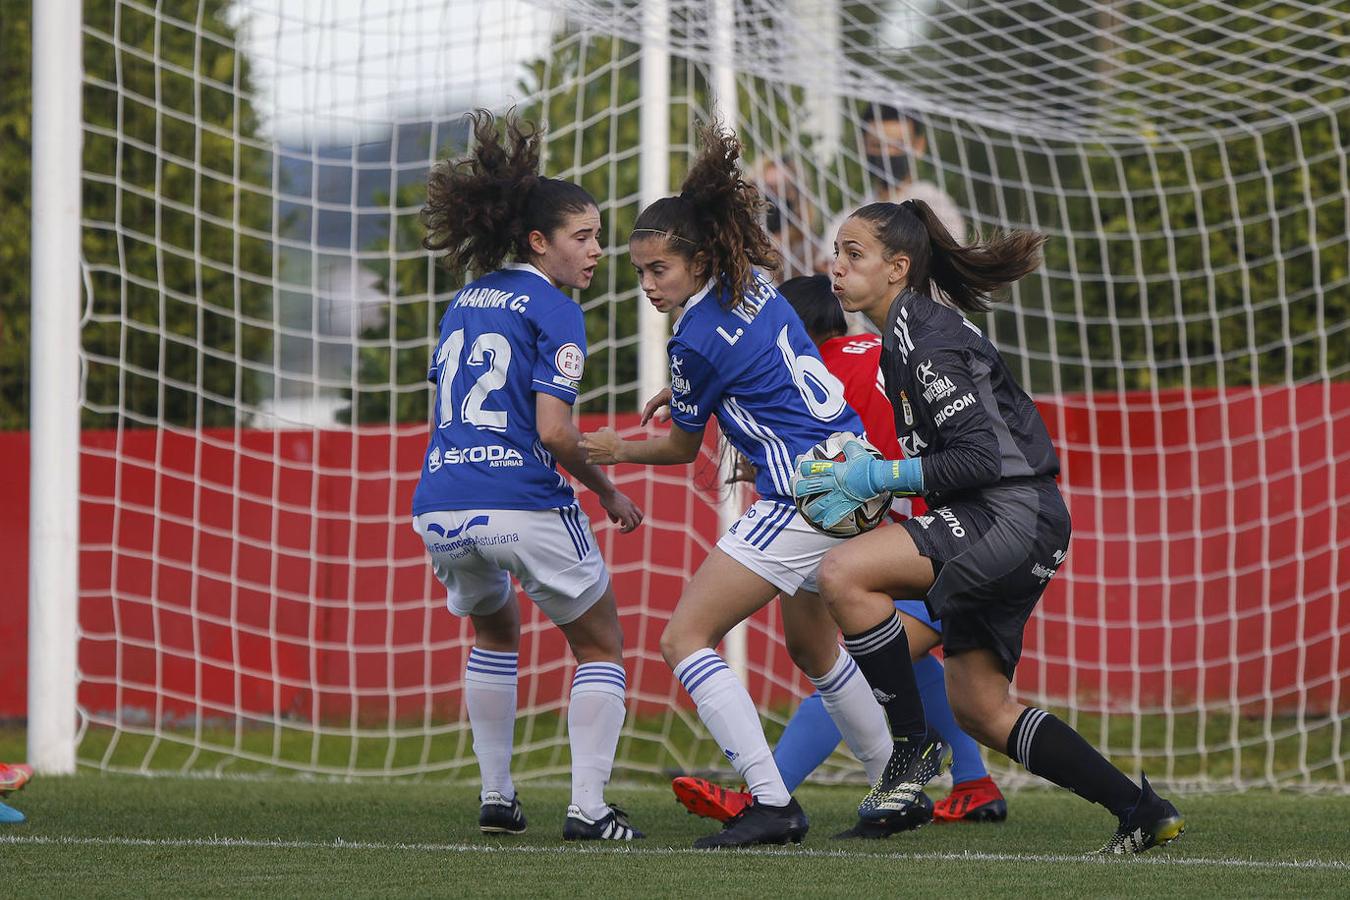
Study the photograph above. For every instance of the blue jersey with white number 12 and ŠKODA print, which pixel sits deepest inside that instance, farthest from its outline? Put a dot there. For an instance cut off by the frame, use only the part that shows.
(503, 338)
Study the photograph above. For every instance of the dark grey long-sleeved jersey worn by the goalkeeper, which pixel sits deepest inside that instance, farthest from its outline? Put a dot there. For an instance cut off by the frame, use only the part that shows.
(956, 404)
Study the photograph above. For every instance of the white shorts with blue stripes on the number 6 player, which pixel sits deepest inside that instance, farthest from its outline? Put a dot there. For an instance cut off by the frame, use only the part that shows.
(776, 543)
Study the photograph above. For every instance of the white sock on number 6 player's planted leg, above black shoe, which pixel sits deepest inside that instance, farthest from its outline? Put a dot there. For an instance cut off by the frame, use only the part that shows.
(731, 717)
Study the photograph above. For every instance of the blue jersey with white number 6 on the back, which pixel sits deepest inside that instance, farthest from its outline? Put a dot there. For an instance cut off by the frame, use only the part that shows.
(755, 370)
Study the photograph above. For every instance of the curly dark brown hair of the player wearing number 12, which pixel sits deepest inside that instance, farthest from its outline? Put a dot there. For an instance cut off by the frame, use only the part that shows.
(484, 207)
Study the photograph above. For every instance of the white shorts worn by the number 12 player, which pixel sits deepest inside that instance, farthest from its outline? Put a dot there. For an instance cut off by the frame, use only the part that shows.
(551, 554)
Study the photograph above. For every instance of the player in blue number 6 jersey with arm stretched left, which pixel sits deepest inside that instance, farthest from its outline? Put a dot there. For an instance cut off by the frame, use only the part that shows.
(740, 356)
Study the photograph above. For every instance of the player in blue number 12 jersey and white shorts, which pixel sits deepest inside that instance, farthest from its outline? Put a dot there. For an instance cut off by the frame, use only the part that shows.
(492, 504)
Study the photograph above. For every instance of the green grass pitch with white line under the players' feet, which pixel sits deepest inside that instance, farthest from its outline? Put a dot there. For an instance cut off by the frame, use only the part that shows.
(179, 836)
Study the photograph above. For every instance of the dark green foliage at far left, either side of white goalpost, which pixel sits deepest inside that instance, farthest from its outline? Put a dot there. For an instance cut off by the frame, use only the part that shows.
(178, 203)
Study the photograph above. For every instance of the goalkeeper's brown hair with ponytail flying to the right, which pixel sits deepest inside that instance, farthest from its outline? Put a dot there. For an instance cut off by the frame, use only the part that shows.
(966, 275)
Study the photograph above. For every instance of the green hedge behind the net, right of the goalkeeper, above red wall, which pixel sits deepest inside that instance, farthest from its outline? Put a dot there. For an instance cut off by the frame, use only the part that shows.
(1217, 258)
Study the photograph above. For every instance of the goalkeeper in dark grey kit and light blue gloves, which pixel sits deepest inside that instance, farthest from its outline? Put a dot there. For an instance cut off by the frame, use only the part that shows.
(997, 530)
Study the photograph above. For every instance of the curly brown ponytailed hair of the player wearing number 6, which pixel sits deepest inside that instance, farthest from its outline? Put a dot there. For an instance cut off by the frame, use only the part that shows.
(718, 214)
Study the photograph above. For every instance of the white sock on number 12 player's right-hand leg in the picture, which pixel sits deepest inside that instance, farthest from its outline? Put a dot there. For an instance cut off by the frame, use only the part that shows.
(595, 719)
